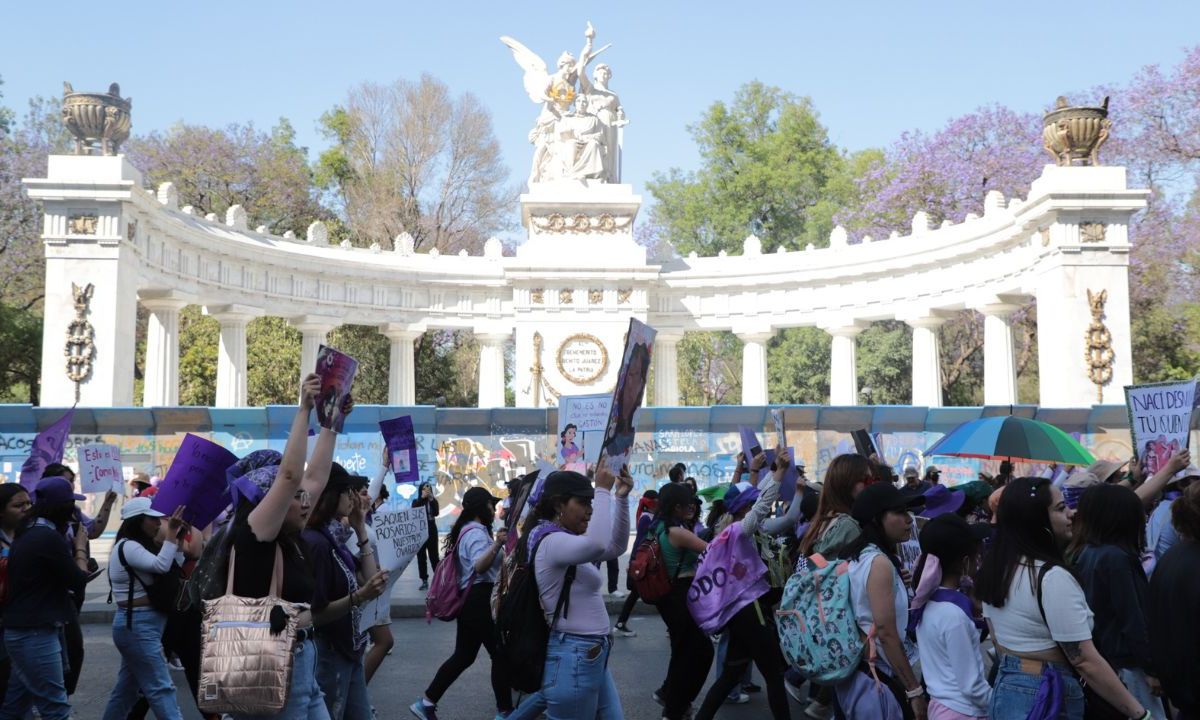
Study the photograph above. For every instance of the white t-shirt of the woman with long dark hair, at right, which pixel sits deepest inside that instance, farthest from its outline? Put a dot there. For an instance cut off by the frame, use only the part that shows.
(1019, 627)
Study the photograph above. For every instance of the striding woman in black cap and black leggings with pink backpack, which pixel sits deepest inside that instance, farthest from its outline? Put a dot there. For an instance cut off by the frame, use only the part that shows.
(481, 555)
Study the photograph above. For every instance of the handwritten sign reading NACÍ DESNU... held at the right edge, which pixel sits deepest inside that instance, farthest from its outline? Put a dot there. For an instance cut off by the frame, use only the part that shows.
(1160, 419)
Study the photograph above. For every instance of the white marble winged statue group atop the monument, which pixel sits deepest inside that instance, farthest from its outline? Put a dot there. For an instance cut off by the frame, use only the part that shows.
(578, 133)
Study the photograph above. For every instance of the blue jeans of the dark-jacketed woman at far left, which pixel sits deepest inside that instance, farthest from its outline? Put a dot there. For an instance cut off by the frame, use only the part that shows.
(39, 656)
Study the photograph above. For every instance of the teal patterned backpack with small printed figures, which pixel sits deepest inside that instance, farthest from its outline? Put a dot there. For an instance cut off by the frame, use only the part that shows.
(818, 629)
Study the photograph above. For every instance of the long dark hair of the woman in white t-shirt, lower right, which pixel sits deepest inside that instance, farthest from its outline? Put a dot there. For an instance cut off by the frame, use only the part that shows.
(1023, 535)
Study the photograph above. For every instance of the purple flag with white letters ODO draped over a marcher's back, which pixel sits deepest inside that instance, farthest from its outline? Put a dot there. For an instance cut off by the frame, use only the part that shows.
(730, 577)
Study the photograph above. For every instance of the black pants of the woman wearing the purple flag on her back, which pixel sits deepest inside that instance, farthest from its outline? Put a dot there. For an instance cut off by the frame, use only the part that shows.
(753, 638)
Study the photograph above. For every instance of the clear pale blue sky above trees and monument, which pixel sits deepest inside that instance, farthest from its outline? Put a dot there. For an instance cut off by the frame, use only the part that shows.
(873, 69)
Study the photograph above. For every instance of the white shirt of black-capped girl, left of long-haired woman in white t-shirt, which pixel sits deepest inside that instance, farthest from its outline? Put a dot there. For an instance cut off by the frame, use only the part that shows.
(951, 662)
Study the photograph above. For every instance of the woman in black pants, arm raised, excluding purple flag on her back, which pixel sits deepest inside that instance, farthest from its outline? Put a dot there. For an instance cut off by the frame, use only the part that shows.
(752, 631)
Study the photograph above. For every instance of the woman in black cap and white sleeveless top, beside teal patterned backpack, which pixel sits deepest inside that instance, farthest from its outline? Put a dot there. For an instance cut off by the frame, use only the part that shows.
(881, 607)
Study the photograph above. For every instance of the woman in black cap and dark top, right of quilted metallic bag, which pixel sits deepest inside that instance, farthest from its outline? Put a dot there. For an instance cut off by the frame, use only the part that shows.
(339, 515)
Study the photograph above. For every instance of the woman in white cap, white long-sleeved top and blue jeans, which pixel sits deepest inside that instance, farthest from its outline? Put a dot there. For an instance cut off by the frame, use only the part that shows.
(142, 561)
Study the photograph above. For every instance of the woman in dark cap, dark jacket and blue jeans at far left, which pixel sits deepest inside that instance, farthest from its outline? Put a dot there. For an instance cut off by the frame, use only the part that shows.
(44, 572)
